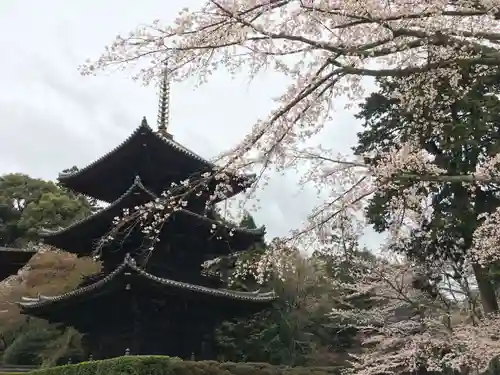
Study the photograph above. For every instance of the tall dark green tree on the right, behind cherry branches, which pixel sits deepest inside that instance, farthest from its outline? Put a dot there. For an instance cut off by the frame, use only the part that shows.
(449, 263)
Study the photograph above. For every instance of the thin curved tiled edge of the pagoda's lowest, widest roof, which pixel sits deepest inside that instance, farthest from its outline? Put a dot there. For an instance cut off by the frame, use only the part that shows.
(129, 265)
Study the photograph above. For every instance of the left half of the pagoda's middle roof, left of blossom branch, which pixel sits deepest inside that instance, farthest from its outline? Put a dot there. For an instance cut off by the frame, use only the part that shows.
(92, 228)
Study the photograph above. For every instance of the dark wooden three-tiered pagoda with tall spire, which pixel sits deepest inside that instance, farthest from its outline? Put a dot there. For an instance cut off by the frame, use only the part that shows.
(143, 302)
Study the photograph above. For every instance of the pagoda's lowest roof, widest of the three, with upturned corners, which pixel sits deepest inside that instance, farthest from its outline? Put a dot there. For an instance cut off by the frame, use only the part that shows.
(124, 275)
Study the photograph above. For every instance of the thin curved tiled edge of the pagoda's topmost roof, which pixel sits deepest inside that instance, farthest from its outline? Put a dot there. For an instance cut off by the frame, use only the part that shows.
(144, 126)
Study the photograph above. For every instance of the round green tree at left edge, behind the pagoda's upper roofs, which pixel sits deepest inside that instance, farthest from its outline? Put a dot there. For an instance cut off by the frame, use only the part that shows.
(29, 204)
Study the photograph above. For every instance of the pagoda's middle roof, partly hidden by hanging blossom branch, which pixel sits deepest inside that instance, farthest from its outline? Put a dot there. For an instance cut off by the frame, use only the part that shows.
(82, 236)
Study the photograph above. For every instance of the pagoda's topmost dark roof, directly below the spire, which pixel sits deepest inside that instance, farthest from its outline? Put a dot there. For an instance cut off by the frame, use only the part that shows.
(157, 158)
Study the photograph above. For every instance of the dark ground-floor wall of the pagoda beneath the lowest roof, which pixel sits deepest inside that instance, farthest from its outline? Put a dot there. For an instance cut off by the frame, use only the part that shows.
(177, 329)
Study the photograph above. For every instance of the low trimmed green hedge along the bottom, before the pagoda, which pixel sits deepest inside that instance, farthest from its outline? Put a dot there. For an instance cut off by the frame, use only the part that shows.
(157, 365)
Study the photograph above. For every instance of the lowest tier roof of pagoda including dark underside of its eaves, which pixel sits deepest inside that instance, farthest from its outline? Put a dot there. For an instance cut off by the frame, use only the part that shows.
(128, 275)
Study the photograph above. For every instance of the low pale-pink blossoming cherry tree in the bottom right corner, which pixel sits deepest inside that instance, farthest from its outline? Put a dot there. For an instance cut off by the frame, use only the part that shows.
(405, 331)
